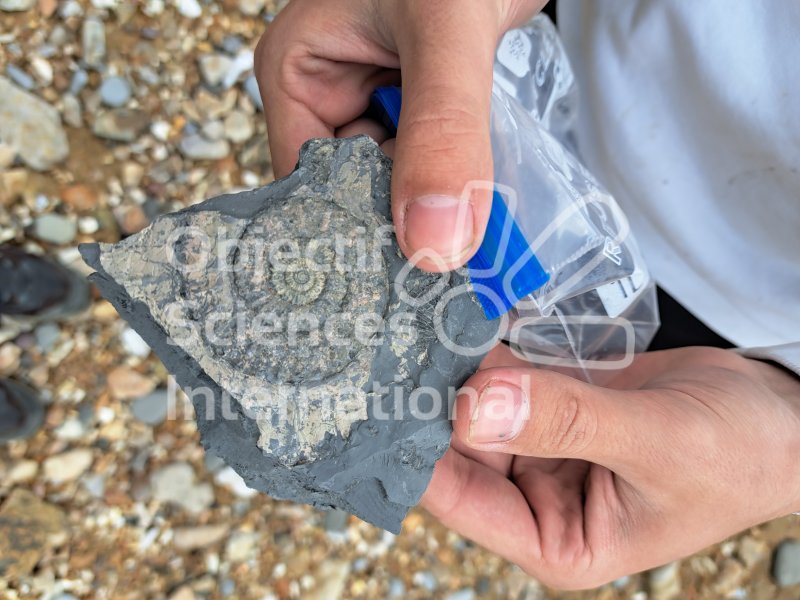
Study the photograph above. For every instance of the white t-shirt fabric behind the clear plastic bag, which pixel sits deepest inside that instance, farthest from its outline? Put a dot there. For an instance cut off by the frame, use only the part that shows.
(690, 115)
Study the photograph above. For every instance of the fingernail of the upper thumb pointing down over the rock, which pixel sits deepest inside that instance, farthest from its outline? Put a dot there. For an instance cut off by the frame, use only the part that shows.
(440, 225)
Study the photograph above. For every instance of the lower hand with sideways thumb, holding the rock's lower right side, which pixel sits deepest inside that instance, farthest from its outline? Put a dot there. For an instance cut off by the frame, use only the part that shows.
(684, 448)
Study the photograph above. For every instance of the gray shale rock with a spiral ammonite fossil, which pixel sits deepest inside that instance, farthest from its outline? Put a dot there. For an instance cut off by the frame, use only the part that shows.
(296, 303)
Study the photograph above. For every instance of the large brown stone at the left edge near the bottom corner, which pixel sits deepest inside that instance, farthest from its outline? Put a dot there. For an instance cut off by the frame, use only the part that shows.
(28, 528)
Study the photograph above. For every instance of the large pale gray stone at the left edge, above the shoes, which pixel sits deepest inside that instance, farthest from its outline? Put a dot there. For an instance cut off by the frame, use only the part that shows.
(32, 127)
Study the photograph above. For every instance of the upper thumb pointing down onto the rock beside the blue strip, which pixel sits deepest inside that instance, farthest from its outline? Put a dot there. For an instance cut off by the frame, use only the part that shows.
(446, 53)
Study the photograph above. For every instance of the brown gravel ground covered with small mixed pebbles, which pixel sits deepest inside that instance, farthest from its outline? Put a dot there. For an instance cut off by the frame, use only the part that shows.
(112, 112)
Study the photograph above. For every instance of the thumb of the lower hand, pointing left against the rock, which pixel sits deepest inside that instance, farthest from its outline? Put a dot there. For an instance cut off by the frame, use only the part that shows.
(531, 412)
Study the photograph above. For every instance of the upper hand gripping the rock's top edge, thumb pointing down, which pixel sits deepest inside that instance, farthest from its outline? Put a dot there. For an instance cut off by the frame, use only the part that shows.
(320, 61)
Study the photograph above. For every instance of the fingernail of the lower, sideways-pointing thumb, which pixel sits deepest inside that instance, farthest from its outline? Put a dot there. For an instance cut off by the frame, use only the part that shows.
(500, 414)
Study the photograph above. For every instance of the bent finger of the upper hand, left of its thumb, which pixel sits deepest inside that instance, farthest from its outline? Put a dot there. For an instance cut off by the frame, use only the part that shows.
(313, 82)
